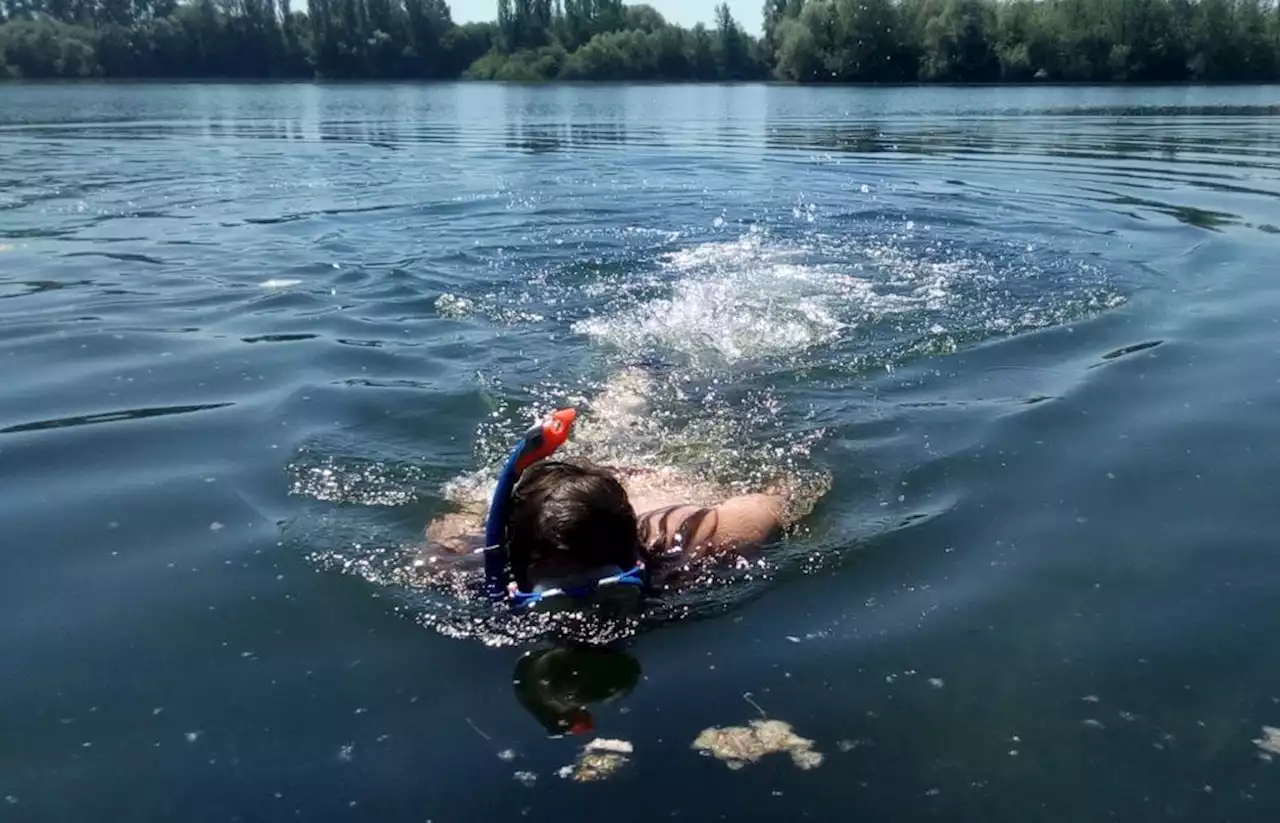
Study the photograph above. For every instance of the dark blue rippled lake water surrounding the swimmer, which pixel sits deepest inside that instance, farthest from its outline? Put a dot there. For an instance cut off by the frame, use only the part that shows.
(1016, 349)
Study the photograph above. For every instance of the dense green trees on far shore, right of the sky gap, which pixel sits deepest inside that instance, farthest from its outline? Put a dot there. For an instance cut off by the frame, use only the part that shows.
(1023, 40)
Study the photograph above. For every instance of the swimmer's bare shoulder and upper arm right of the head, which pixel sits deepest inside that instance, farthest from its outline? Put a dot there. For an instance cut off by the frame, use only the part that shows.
(740, 523)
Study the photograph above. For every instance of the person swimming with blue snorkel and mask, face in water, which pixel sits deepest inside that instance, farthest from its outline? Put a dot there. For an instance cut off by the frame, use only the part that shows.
(569, 528)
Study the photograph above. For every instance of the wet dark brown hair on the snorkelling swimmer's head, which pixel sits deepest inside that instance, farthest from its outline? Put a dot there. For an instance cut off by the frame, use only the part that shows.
(568, 519)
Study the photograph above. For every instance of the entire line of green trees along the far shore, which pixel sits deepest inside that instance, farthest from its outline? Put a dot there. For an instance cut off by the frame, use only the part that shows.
(807, 42)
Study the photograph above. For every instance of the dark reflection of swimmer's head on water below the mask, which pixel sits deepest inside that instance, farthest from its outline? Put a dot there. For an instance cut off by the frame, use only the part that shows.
(559, 685)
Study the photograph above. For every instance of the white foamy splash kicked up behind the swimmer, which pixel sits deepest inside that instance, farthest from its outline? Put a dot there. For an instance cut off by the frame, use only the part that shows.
(886, 296)
